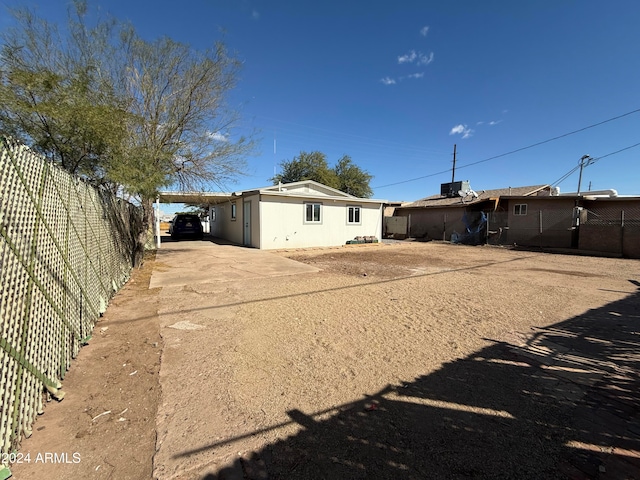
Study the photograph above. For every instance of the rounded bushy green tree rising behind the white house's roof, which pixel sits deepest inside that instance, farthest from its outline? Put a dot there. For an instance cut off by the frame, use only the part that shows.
(345, 175)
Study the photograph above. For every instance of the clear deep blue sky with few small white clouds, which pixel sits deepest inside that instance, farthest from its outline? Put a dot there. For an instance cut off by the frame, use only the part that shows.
(395, 85)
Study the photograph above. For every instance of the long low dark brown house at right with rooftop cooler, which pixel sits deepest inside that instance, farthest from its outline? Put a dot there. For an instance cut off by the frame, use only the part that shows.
(537, 216)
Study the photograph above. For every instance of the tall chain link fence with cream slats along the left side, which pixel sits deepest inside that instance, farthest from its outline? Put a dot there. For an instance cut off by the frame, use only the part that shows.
(65, 249)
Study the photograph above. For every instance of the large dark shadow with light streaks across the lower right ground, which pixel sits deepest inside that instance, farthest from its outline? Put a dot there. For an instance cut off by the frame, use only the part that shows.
(564, 403)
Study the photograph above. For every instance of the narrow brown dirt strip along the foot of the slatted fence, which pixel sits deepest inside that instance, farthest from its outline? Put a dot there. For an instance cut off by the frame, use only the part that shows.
(105, 426)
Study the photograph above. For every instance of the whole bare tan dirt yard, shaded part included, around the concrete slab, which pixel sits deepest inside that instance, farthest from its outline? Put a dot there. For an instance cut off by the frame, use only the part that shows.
(393, 361)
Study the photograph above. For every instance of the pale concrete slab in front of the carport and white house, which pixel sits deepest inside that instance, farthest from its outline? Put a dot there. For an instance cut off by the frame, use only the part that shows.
(192, 262)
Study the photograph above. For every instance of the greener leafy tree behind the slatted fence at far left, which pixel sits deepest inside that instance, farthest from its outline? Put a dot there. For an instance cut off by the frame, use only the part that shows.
(55, 98)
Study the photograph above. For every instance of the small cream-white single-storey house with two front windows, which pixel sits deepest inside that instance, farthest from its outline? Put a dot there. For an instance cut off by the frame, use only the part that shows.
(295, 215)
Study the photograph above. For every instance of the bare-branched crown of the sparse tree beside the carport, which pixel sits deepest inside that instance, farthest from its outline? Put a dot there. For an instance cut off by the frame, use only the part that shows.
(181, 127)
